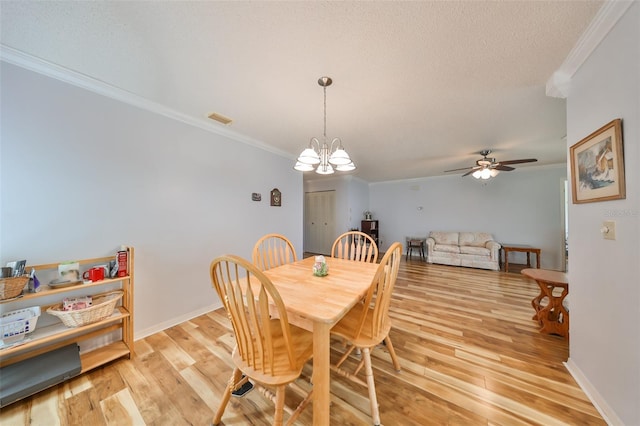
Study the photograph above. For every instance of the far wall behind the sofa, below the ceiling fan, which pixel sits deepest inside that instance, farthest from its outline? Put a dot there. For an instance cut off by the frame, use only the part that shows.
(523, 206)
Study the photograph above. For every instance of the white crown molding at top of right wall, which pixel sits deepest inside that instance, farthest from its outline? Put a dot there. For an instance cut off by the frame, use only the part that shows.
(609, 14)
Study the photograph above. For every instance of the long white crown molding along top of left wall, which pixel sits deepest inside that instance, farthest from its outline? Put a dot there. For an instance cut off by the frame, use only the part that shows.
(40, 66)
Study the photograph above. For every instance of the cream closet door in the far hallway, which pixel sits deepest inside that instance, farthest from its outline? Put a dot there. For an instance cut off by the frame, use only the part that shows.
(319, 220)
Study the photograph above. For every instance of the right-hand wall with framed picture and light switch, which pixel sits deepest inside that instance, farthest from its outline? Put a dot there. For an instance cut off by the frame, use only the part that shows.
(604, 275)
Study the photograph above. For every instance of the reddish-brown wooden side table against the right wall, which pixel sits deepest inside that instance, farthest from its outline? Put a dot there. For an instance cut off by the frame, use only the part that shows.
(552, 317)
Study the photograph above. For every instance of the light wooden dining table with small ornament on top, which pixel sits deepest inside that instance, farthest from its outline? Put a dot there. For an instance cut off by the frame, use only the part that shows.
(317, 304)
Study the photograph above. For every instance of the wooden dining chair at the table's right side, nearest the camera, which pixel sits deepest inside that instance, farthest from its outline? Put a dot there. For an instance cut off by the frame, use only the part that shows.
(367, 324)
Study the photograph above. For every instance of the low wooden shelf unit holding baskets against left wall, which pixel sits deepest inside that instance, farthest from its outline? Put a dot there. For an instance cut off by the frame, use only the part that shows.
(55, 335)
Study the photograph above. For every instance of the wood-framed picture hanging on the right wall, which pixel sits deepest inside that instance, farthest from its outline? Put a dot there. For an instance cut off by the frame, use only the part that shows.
(597, 165)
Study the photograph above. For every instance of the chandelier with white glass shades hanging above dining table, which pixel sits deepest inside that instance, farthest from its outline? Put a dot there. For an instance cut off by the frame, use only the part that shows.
(323, 156)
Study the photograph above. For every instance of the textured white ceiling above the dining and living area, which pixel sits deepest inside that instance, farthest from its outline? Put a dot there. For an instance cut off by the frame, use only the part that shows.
(419, 87)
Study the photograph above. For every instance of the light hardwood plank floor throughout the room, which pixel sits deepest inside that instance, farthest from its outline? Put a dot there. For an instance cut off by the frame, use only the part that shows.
(470, 354)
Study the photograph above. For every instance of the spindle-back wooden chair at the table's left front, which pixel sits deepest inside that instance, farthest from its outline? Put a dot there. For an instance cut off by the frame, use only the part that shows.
(271, 352)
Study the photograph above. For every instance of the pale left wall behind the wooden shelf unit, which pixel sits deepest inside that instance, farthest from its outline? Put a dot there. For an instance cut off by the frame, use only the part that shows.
(82, 174)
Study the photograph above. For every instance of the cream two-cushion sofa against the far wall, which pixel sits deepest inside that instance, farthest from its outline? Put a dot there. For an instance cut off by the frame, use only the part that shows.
(473, 249)
